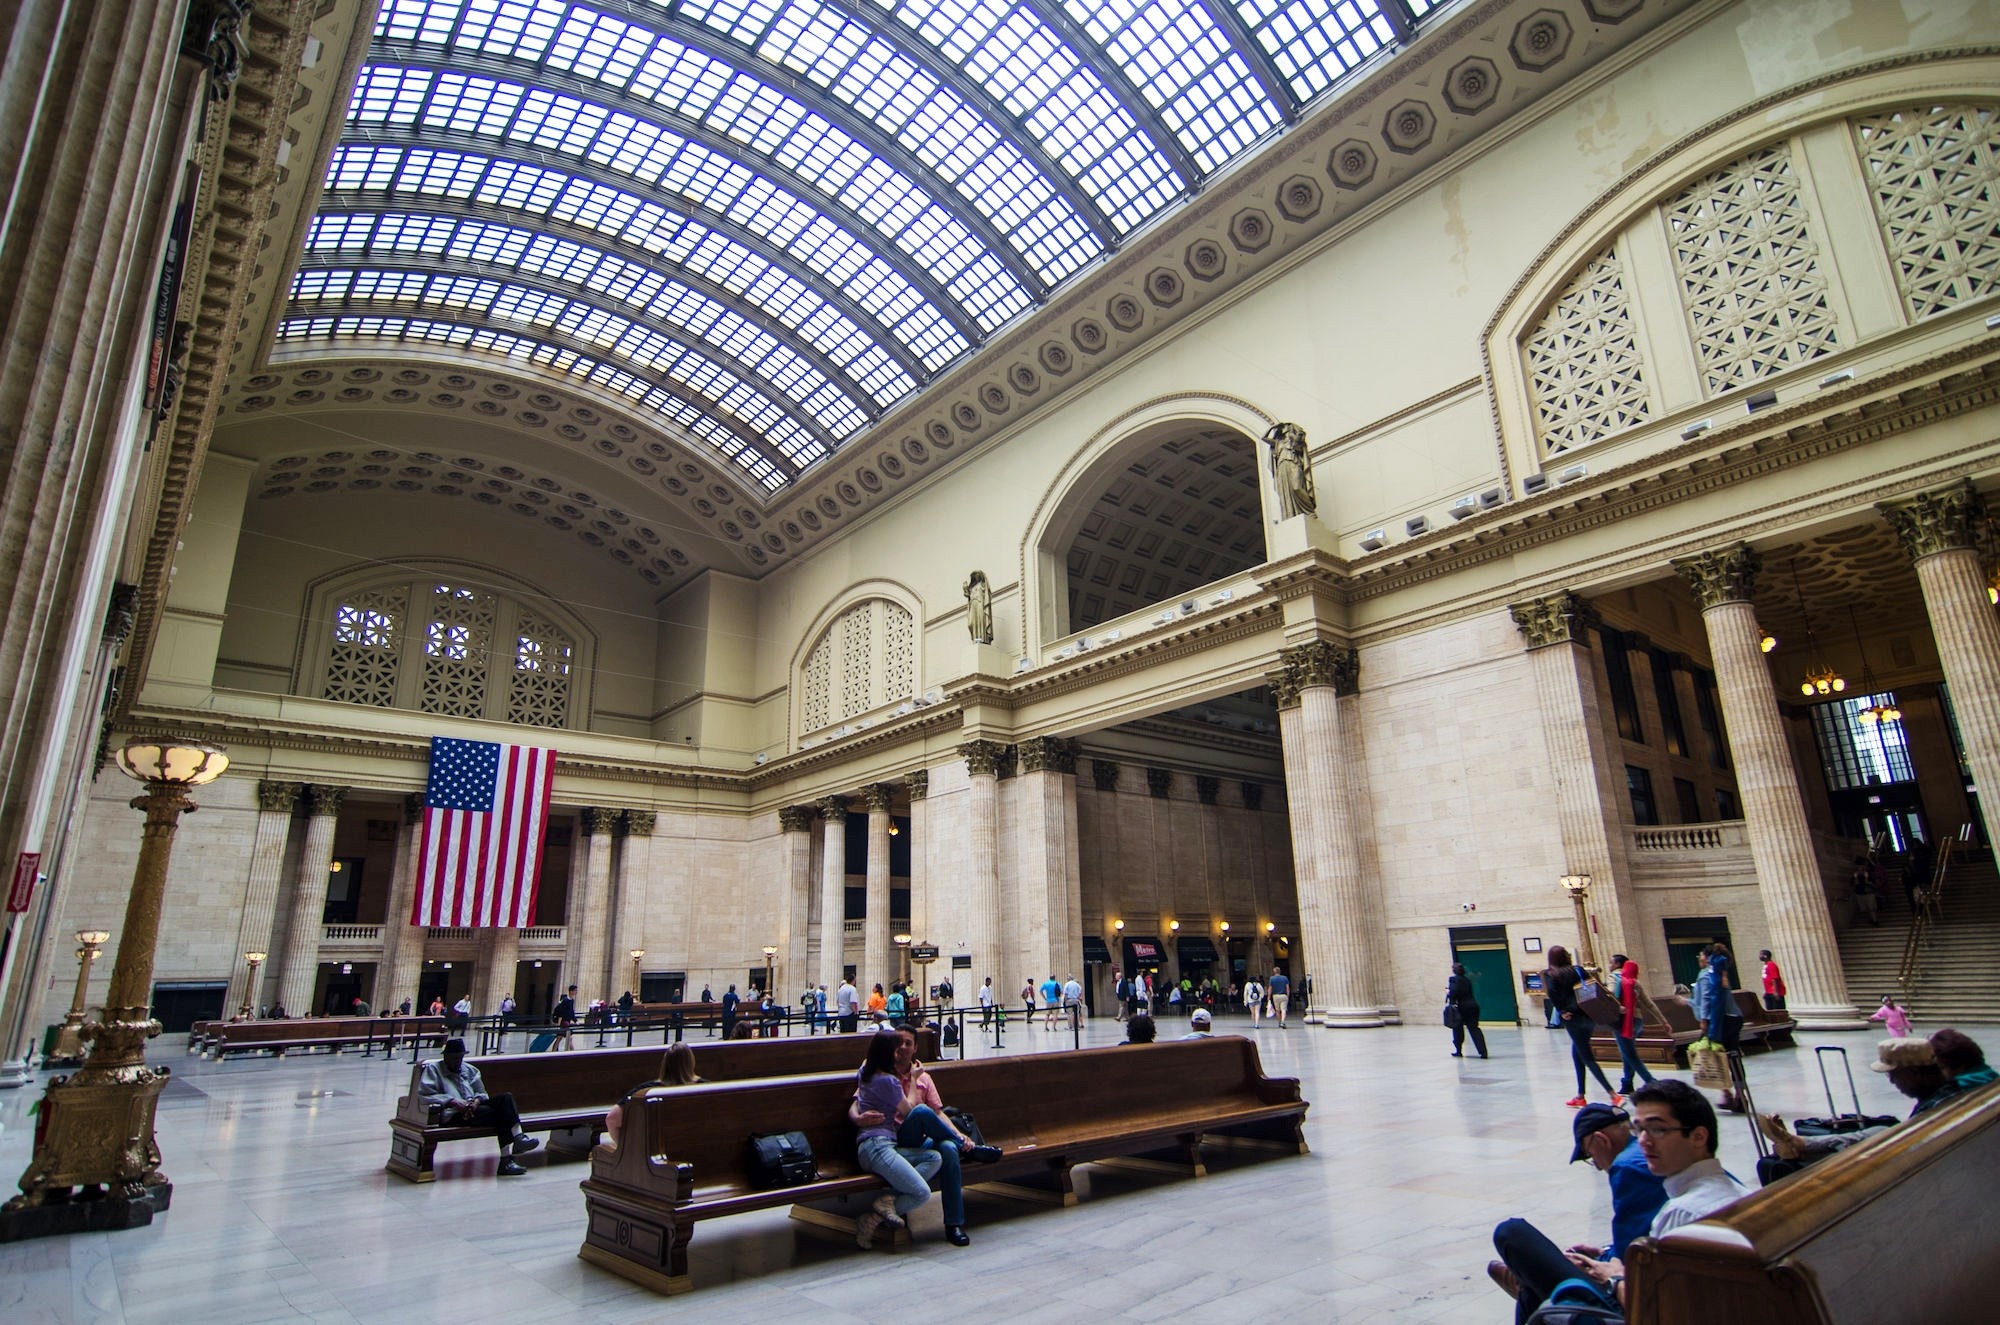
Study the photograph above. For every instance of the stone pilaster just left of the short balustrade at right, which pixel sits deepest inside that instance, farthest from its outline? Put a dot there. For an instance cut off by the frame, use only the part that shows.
(1583, 764)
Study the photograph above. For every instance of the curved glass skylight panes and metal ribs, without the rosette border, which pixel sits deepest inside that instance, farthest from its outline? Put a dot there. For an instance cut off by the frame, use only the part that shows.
(771, 221)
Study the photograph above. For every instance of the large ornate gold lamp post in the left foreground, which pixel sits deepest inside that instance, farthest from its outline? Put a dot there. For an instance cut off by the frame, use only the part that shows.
(97, 1124)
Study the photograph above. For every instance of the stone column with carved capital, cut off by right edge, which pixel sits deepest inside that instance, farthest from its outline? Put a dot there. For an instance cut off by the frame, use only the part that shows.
(1941, 531)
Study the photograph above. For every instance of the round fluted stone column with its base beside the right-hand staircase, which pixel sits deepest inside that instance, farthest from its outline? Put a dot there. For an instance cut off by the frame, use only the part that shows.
(1775, 816)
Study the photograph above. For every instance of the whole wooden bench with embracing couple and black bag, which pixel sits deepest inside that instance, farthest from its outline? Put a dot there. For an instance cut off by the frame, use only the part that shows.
(685, 1150)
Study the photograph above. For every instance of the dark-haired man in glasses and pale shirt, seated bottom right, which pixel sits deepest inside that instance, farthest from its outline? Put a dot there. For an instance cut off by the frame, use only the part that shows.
(1677, 1136)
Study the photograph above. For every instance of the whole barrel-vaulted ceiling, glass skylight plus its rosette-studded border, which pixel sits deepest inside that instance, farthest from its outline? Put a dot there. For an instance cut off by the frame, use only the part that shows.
(781, 257)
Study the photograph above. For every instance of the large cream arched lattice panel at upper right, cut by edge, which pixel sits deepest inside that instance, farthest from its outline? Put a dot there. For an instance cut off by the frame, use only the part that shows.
(1827, 229)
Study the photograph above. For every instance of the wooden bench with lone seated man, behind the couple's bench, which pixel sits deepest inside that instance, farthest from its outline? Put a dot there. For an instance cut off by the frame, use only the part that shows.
(569, 1094)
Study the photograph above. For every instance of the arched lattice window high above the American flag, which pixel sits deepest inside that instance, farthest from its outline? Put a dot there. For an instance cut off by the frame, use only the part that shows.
(449, 645)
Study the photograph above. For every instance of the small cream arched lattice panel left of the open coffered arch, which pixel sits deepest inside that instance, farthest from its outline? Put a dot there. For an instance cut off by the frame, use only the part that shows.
(865, 653)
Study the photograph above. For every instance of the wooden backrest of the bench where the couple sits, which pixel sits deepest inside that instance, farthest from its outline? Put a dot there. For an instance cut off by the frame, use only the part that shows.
(1025, 1100)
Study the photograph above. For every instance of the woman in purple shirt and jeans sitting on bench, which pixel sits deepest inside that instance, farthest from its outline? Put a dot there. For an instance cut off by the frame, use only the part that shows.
(931, 1150)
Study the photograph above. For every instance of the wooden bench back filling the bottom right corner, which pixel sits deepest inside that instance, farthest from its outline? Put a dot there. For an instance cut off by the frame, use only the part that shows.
(1901, 1228)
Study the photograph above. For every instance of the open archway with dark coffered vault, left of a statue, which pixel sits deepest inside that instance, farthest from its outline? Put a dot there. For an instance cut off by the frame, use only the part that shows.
(1165, 499)
